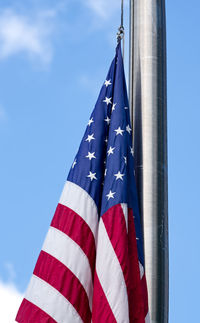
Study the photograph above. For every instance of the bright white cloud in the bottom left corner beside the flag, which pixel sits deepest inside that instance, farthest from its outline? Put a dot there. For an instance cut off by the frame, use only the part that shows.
(10, 299)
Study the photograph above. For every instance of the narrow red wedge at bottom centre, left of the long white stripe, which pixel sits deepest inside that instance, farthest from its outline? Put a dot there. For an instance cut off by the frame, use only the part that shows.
(101, 311)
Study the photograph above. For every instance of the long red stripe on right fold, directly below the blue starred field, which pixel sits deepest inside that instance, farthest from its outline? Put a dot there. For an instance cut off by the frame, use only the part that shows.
(125, 247)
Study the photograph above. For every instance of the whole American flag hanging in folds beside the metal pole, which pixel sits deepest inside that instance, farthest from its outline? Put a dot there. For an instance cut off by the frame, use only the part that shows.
(91, 267)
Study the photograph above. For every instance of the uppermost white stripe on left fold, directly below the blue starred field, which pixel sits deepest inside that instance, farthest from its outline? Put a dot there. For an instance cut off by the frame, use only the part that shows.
(77, 199)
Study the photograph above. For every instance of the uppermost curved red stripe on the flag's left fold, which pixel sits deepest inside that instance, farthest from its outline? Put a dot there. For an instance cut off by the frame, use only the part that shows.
(69, 222)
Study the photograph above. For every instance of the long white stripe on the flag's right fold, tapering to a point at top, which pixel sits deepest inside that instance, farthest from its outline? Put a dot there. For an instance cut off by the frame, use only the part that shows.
(111, 276)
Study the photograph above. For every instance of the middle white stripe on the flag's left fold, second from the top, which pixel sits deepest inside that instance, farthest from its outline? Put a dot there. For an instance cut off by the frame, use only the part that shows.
(63, 248)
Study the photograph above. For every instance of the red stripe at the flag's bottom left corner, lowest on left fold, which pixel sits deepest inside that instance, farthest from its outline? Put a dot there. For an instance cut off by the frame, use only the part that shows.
(28, 312)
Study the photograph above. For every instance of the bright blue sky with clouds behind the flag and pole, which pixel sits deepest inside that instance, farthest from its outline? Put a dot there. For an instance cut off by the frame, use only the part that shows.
(54, 56)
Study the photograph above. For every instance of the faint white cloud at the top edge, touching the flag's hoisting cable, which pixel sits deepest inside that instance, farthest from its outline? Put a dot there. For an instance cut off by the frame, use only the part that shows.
(104, 8)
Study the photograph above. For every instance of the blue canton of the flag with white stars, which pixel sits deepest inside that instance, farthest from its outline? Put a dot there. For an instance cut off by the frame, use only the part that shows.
(104, 164)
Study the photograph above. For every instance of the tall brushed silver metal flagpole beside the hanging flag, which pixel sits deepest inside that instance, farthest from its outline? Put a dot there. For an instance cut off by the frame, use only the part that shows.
(149, 117)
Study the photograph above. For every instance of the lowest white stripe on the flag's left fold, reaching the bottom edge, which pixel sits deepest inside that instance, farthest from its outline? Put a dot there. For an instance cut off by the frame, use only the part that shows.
(51, 301)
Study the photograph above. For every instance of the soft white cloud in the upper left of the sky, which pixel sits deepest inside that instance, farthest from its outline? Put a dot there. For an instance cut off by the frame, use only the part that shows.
(26, 34)
